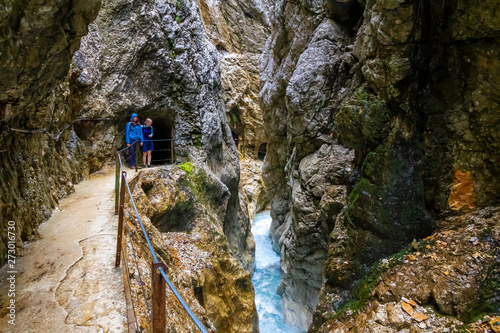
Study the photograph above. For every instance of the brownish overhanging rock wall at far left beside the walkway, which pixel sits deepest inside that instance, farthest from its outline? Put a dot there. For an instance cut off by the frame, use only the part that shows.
(37, 41)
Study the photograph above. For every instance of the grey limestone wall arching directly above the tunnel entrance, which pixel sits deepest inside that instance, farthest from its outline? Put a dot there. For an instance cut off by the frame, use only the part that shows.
(154, 59)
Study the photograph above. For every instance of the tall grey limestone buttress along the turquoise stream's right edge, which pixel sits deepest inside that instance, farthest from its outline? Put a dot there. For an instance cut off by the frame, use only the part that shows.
(306, 71)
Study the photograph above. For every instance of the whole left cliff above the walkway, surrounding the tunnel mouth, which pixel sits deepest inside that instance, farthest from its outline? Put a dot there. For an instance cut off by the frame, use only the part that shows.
(152, 58)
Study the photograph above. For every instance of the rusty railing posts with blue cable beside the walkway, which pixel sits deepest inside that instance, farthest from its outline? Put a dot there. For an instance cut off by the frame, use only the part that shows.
(158, 269)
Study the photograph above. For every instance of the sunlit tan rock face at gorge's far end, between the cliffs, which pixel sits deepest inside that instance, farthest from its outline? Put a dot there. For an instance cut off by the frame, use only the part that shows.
(239, 29)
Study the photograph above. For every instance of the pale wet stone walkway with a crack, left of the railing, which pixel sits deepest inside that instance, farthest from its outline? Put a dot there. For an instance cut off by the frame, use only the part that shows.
(67, 281)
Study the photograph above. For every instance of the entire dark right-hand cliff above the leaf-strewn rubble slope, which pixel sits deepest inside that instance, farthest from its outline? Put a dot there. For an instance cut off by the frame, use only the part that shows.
(382, 117)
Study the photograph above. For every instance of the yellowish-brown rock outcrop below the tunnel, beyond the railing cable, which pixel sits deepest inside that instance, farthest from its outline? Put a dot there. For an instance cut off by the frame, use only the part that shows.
(183, 209)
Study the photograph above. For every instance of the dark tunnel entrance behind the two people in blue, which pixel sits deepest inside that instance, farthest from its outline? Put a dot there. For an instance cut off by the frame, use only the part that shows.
(163, 135)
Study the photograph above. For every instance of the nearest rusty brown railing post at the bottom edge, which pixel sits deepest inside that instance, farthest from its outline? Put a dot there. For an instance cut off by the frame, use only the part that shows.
(158, 315)
